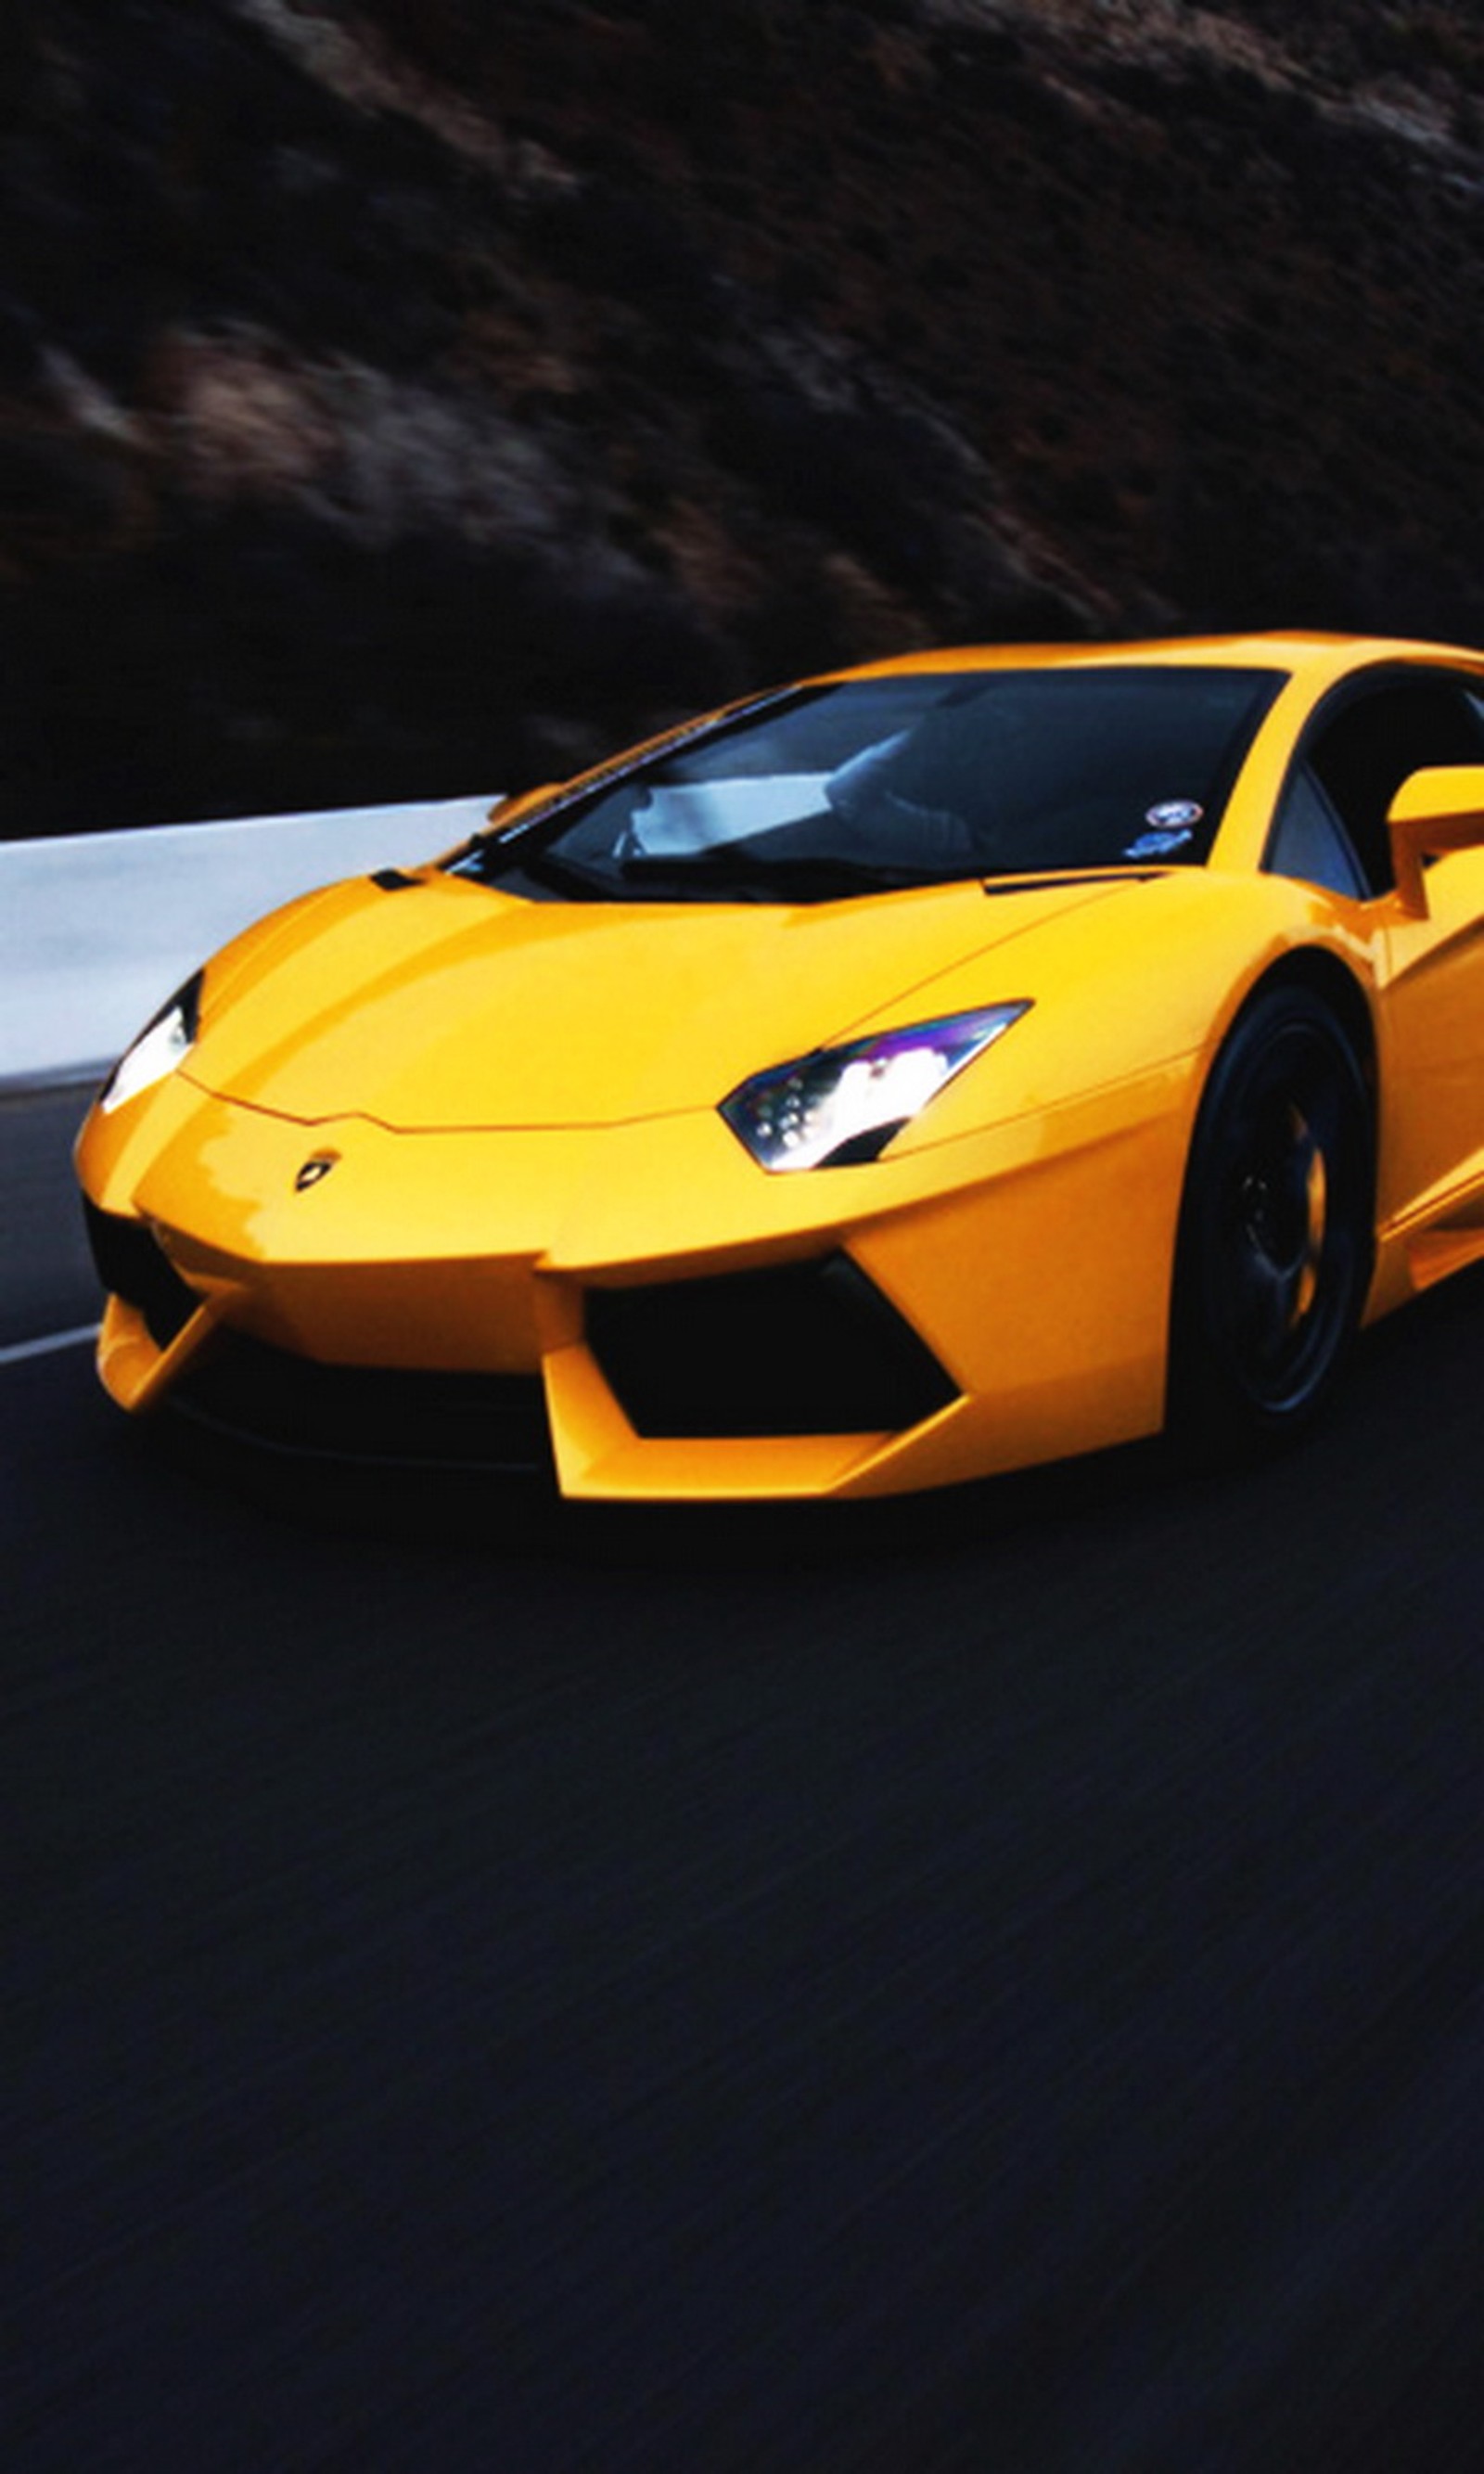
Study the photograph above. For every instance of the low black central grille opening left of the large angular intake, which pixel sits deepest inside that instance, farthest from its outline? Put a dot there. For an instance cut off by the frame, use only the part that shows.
(370, 1414)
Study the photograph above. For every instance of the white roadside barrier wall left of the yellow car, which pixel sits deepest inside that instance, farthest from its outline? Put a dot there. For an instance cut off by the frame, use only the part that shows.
(98, 929)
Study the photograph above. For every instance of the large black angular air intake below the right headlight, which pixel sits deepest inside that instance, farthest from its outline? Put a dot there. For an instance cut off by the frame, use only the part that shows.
(810, 1350)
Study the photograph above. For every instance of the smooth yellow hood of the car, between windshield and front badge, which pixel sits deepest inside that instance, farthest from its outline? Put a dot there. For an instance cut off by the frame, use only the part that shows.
(446, 1003)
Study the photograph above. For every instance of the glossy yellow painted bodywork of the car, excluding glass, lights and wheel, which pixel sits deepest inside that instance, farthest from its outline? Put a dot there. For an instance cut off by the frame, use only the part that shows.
(523, 1107)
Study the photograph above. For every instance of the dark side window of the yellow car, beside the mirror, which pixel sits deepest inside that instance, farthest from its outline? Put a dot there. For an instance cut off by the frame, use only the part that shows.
(1364, 753)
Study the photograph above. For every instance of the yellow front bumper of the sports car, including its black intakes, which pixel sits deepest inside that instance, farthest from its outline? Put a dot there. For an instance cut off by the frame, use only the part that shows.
(644, 1303)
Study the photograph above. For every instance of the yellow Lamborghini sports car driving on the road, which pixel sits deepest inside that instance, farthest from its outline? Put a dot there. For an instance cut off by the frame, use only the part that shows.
(911, 1075)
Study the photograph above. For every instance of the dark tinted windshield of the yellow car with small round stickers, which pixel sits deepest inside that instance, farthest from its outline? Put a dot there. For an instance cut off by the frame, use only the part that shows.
(924, 778)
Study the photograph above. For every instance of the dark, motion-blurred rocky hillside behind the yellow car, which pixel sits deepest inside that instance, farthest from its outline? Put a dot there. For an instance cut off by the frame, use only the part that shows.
(402, 397)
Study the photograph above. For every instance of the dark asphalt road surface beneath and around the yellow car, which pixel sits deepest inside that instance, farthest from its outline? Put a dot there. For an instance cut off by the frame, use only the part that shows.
(993, 1985)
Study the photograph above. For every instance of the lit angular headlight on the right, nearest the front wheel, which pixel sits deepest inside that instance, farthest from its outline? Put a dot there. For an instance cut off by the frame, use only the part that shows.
(845, 1105)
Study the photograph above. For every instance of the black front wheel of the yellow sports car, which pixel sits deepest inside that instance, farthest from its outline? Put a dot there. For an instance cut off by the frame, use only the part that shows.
(1275, 1228)
